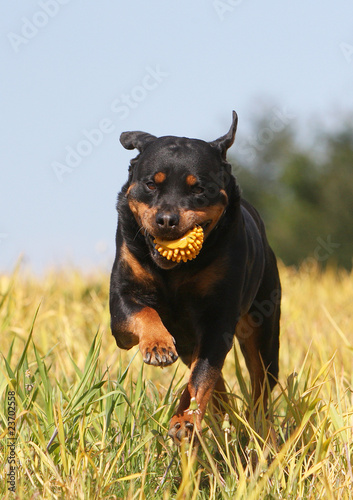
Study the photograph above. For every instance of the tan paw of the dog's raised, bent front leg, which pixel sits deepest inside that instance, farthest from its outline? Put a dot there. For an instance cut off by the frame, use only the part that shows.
(159, 352)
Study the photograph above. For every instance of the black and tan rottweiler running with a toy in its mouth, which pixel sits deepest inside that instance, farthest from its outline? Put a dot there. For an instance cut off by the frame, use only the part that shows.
(193, 309)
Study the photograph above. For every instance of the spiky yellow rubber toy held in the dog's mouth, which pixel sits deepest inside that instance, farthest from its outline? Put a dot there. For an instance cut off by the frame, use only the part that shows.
(185, 248)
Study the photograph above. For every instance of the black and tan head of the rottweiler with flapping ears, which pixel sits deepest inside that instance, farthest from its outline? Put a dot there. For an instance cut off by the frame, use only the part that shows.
(176, 183)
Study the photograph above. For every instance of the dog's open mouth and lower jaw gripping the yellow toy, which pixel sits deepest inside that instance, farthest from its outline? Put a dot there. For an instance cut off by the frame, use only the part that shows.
(166, 252)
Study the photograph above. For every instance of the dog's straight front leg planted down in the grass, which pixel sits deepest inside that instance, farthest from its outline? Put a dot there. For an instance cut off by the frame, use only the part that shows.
(205, 375)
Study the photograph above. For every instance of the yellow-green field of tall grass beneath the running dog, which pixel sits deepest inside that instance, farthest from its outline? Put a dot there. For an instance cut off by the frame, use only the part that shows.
(91, 421)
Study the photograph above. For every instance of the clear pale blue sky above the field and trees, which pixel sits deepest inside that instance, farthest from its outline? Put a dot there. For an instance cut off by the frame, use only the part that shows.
(75, 74)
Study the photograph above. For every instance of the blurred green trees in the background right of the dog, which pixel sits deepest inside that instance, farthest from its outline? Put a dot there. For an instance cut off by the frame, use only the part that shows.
(305, 195)
